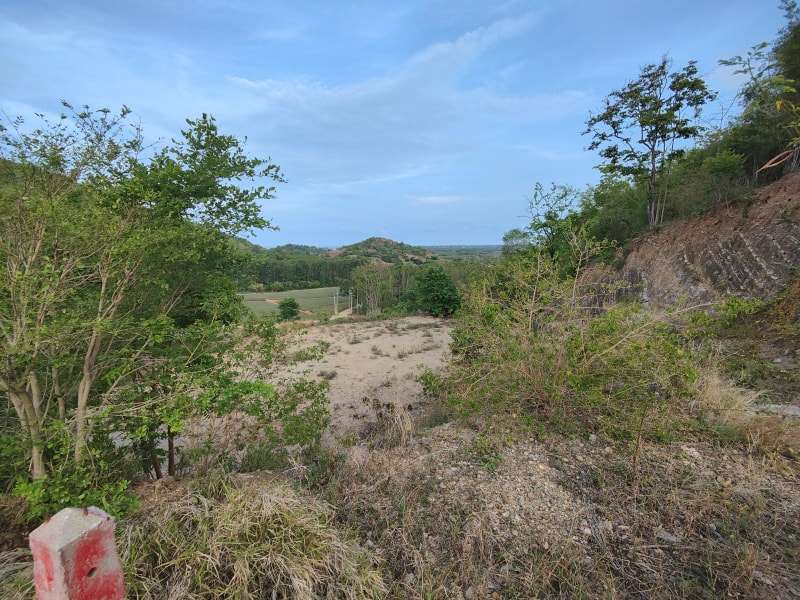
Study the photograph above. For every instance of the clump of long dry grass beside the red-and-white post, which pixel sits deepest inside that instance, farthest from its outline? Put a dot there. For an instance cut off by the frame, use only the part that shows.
(239, 539)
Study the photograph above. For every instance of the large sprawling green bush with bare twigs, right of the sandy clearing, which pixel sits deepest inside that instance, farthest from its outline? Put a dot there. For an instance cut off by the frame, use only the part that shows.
(532, 342)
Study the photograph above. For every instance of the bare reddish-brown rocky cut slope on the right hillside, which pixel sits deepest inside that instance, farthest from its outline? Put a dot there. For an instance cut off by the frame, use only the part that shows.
(753, 252)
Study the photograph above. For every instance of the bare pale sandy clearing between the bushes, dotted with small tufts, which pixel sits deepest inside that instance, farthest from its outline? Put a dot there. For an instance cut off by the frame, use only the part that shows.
(372, 360)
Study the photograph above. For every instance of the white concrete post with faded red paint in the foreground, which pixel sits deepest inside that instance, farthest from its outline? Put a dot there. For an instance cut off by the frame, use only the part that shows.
(75, 557)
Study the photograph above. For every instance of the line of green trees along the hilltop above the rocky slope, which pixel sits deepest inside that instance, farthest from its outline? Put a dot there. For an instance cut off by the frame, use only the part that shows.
(660, 162)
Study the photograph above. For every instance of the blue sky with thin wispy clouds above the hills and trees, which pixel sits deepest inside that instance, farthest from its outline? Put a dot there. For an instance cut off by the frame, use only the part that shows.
(423, 121)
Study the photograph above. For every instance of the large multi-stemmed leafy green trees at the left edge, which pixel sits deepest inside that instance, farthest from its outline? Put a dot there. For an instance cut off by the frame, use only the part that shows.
(100, 251)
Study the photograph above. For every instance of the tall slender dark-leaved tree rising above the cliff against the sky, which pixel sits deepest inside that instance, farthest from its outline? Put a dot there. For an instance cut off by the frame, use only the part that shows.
(642, 124)
